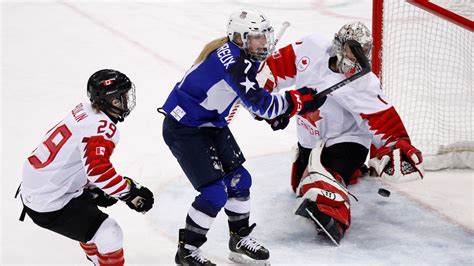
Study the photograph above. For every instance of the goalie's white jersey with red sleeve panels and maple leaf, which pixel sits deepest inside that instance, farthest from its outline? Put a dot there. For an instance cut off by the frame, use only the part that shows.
(358, 112)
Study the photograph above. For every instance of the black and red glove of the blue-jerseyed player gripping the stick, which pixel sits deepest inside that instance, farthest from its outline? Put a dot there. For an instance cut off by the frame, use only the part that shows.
(301, 101)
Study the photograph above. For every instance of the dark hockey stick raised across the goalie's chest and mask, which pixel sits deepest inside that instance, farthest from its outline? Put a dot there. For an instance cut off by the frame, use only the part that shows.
(361, 59)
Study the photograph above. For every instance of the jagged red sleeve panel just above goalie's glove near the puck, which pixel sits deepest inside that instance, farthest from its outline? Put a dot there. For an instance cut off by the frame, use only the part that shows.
(386, 123)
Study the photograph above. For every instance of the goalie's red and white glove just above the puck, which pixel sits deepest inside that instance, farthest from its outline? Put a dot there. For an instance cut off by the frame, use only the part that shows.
(400, 162)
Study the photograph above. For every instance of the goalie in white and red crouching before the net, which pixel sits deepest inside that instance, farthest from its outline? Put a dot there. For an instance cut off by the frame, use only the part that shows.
(342, 130)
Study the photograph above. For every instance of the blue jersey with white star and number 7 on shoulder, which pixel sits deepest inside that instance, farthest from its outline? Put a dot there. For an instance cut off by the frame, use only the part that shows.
(209, 89)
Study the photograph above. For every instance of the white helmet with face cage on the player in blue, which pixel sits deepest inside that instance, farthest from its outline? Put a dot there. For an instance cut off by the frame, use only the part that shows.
(245, 23)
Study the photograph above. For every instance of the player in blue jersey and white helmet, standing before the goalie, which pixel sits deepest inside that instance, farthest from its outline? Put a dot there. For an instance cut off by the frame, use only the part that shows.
(197, 133)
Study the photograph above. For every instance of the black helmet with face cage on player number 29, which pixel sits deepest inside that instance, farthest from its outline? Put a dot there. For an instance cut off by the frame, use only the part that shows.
(112, 92)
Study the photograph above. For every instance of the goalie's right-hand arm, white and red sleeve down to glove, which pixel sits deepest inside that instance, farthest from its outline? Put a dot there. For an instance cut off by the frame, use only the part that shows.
(392, 145)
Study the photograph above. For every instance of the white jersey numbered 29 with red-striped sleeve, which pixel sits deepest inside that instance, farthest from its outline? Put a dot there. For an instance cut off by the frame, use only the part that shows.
(73, 154)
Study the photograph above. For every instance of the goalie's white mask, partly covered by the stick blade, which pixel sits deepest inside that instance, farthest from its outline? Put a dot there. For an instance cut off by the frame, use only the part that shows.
(356, 31)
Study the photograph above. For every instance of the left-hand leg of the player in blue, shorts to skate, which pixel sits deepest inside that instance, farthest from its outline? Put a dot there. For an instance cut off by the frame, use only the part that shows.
(196, 152)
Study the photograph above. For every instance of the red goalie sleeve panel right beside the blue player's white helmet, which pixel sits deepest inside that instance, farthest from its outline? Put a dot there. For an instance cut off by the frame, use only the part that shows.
(282, 63)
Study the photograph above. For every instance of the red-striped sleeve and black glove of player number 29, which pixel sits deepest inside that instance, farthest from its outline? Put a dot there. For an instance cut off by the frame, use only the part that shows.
(96, 151)
